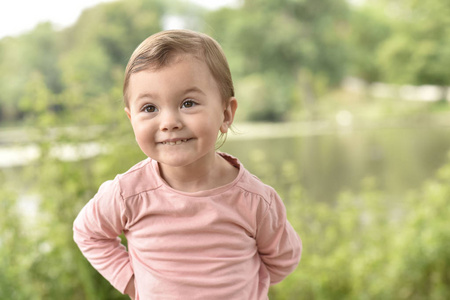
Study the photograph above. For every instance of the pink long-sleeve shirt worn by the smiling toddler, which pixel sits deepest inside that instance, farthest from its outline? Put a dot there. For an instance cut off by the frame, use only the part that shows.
(231, 242)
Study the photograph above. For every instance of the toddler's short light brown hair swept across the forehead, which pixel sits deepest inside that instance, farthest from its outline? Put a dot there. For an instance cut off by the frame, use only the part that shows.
(156, 51)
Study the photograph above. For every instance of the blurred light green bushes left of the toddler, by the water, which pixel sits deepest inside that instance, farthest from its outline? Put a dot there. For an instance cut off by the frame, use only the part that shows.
(42, 261)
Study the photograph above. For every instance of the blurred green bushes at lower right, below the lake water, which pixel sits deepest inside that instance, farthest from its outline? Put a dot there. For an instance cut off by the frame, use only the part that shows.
(371, 247)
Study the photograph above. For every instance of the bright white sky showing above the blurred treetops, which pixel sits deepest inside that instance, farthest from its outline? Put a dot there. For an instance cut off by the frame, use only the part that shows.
(19, 16)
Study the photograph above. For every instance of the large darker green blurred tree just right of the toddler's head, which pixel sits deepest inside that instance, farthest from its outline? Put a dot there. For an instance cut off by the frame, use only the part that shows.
(297, 42)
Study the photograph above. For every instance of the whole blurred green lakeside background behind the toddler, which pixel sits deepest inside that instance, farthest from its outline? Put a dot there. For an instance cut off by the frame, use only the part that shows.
(343, 108)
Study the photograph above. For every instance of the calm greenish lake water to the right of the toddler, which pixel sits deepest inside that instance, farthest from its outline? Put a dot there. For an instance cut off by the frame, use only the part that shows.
(397, 159)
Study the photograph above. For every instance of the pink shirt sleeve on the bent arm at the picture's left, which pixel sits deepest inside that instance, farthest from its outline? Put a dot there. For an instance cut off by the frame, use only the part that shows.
(96, 231)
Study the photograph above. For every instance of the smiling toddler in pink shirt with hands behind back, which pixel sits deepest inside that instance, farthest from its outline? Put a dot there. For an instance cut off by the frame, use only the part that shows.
(198, 224)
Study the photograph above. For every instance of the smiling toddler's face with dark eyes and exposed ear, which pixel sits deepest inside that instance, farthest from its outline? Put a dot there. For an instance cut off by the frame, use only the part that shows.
(177, 112)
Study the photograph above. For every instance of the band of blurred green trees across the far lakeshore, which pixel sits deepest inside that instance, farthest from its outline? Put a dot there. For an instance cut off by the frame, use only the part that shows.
(284, 55)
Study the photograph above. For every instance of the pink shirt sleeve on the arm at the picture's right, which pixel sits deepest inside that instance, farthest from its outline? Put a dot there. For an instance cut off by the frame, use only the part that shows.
(279, 246)
